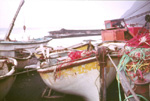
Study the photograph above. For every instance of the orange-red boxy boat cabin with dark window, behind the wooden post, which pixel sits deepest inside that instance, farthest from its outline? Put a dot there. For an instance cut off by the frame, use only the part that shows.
(116, 30)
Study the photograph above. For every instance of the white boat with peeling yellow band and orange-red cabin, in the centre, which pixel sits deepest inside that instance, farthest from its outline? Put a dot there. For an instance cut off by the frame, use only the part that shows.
(80, 69)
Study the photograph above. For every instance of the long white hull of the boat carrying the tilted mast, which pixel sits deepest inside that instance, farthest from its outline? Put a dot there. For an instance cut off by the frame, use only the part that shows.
(8, 47)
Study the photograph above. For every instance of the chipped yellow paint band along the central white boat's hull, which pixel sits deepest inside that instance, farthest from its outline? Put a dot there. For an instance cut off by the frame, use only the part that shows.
(77, 70)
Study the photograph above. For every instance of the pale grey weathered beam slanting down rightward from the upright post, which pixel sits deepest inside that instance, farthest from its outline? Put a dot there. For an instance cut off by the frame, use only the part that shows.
(123, 80)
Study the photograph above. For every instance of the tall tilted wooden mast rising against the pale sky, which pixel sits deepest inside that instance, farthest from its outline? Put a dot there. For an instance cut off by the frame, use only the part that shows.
(12, 24)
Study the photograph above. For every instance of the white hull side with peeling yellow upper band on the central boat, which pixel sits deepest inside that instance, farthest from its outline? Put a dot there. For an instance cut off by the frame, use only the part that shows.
(82, 80)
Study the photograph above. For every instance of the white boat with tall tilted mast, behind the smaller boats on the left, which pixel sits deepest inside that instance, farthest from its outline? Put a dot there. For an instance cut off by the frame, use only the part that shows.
(22, 51)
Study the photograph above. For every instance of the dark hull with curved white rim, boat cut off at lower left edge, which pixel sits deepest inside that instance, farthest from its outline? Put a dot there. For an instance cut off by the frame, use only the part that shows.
(7, 80)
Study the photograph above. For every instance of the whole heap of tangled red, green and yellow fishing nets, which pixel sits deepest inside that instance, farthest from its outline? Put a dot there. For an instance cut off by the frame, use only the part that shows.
(135, 61)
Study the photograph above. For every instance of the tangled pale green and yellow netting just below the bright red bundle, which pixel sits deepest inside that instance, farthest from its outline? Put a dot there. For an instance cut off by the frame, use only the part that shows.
(135, 59)
